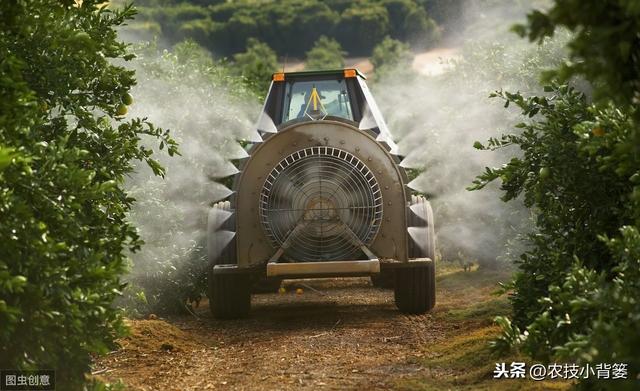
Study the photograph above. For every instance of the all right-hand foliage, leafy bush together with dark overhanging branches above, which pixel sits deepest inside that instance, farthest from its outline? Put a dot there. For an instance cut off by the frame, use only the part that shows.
(575, 297)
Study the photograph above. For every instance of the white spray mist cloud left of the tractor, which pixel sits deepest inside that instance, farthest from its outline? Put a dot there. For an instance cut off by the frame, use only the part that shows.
(207, 111)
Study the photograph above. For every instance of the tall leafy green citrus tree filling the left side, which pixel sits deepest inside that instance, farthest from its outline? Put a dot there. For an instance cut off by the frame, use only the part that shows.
(65, 149)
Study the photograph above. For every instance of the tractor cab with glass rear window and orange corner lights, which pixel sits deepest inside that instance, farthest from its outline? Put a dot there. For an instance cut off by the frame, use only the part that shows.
(318, 95)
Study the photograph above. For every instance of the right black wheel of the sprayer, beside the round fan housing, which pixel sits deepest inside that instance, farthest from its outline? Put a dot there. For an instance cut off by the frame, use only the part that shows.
(415, 287)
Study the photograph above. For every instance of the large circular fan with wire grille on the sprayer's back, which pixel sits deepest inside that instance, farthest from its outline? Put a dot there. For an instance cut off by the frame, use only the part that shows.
(320, 204)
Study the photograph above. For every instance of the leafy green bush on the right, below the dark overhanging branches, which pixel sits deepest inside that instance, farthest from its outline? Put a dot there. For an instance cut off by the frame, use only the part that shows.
(575, 295)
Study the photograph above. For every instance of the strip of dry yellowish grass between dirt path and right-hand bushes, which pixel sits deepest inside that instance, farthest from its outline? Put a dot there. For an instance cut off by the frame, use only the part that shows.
(463, 360)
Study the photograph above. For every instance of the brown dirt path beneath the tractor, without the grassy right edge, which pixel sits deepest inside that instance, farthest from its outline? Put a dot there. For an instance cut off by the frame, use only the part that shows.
(348, 335)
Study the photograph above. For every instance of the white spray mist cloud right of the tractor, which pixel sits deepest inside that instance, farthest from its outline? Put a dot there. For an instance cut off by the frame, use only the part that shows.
(437, 119)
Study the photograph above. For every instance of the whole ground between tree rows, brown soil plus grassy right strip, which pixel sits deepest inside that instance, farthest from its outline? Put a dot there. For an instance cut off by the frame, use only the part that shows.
(342, 334)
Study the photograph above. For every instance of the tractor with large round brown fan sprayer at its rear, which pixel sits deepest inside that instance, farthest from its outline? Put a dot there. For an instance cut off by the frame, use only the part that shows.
(322, 195)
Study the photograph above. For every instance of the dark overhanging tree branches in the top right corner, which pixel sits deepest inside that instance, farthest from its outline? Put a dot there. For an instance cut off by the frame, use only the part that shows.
(605, 48)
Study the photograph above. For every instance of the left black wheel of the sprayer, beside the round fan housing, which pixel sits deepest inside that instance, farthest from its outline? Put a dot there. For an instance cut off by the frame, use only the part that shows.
(229, 294)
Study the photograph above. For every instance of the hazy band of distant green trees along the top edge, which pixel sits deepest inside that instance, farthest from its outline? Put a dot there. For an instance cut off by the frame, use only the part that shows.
(290, 27)
